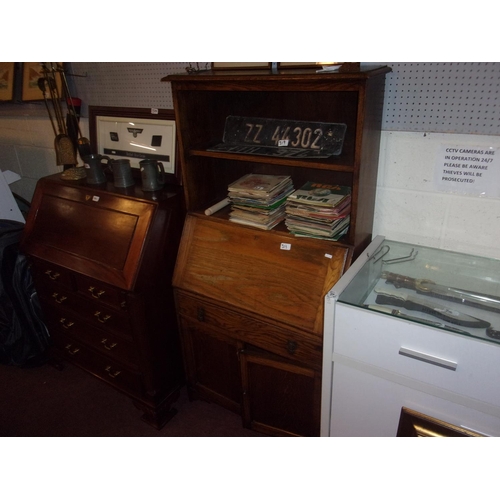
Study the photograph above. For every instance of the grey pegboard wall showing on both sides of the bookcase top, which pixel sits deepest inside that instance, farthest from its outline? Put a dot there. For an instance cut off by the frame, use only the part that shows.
(457, 97)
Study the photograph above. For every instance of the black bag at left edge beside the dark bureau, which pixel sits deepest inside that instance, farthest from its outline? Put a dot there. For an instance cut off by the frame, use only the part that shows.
(24, 338)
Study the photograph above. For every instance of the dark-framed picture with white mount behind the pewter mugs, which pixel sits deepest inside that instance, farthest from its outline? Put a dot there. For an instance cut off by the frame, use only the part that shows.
(135, 134)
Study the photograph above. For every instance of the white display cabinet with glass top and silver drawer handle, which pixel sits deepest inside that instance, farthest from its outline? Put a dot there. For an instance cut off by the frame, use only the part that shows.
(411, 345)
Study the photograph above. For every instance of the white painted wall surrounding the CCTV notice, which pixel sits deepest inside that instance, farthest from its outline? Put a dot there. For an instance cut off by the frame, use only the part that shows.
(410, 208)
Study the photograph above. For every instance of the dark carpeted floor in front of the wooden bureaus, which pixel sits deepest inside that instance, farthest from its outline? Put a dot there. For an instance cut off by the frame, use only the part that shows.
(46, 402)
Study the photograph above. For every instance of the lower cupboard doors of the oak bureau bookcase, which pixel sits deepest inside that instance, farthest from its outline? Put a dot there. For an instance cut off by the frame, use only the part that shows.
(273, 395)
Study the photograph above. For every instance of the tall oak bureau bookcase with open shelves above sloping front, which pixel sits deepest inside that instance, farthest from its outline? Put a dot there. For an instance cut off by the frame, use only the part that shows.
(249, 301)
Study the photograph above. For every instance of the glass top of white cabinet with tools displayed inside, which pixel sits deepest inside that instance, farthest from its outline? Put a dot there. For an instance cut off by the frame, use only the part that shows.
(448, 290)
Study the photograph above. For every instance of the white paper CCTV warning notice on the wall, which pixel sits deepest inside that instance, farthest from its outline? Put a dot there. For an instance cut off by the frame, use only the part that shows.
(468, 169)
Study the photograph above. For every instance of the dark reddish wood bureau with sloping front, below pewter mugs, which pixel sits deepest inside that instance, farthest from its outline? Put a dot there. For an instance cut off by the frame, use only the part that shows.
(102, 260)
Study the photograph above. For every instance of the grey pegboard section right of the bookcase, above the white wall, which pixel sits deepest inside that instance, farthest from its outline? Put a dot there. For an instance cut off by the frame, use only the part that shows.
(443, 97)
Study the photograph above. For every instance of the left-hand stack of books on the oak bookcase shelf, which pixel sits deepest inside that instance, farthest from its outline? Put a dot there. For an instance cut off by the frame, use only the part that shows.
(259, 200)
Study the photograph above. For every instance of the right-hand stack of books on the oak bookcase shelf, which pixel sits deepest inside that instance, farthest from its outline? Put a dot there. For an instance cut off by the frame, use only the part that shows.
(319, 211)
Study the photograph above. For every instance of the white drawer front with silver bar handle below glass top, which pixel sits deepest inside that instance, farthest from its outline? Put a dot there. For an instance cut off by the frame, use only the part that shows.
(453, 362)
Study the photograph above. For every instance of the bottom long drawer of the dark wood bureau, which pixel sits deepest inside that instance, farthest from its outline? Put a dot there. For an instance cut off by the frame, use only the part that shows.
(109, 370)
